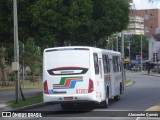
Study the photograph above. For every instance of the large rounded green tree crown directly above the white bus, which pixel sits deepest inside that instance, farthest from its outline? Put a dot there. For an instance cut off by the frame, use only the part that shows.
(81, 22)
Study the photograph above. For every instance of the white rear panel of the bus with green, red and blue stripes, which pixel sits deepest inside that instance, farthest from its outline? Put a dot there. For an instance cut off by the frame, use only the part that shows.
(66, 72)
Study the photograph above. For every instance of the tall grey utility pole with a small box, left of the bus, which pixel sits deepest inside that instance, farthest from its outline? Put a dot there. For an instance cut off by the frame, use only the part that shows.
(15, 64)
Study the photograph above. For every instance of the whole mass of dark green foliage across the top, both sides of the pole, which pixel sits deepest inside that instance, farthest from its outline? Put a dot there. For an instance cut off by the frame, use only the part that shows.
(63, 22)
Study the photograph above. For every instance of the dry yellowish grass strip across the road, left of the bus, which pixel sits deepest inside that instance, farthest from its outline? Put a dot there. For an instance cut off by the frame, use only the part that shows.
(27, 84)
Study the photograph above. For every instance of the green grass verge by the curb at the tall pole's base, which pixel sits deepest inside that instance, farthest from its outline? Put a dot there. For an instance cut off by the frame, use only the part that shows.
(29, 101)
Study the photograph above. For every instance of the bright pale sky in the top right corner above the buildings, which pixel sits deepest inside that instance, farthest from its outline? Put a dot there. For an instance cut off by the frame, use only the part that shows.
(146, 4)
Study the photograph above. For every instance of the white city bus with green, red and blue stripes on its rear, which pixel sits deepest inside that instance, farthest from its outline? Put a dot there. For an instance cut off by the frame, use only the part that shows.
(81, 74)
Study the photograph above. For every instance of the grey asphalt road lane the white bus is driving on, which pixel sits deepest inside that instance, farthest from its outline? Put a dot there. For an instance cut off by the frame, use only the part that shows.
(141, 95)
